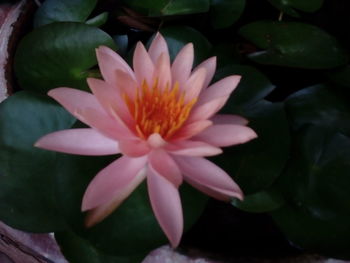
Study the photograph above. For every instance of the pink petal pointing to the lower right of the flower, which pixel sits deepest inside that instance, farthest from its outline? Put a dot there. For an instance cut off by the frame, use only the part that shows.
(207, 174)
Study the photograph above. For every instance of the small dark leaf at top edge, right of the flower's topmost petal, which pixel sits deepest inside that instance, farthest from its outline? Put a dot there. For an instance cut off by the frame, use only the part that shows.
(224, 13)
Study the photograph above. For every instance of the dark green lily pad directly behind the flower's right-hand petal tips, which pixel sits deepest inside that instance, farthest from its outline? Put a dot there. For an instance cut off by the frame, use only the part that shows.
(257, 164)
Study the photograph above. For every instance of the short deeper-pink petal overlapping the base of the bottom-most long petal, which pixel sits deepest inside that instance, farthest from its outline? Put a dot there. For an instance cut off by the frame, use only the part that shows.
(164, 164)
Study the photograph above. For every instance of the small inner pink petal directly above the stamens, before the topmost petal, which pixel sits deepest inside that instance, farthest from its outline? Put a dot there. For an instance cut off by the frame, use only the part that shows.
(162, 72)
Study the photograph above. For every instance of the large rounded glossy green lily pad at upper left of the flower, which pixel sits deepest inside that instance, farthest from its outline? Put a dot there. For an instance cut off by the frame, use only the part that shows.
(58, 54)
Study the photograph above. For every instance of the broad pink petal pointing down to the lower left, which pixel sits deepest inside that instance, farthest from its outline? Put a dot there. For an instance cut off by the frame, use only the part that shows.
(111, 181)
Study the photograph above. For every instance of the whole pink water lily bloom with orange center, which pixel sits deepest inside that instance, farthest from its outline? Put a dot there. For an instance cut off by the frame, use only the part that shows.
(161, 118)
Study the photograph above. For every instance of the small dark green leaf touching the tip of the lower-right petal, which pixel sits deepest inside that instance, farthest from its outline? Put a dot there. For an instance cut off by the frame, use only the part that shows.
(260, 202)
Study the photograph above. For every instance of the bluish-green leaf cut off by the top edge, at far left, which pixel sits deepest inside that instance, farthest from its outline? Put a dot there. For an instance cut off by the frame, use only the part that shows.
(63, 10)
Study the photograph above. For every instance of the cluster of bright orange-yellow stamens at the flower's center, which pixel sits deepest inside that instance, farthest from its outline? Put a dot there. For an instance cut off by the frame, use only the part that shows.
(156, 110)
